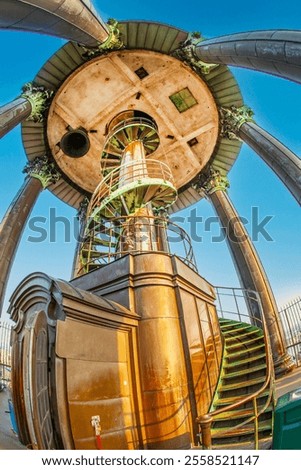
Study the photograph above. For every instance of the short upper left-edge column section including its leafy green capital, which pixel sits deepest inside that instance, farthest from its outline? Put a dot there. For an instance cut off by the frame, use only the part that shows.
(31, 106)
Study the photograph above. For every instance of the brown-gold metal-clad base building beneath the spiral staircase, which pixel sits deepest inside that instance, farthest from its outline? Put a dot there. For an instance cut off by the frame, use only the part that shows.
(139, 370)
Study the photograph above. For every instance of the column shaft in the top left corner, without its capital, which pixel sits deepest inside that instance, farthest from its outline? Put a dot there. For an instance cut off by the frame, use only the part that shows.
(75, 20)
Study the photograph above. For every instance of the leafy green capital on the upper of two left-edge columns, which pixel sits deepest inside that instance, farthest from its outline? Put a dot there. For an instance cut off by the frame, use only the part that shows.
(39, 98)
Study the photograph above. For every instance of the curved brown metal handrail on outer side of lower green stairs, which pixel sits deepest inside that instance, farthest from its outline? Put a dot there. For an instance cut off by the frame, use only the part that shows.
(205, 421)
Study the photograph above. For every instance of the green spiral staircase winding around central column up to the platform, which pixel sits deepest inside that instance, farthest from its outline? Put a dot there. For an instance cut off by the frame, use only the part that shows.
(133, 185)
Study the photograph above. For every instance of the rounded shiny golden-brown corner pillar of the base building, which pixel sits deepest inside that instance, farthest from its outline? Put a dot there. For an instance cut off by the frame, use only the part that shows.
(163, 375)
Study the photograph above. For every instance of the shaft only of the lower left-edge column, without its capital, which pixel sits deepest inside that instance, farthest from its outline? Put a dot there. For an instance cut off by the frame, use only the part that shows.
(12, 227)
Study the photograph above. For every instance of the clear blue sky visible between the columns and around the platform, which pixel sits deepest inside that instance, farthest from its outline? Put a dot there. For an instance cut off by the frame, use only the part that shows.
(277, 107)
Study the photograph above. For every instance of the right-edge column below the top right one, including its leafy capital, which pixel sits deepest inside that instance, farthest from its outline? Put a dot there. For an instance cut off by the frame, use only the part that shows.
(237, 123)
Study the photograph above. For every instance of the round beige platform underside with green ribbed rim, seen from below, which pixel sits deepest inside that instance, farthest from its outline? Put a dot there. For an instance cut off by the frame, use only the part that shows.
(88, 93)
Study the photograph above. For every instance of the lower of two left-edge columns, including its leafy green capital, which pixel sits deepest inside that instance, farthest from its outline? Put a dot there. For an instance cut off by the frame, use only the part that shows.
(40, 175)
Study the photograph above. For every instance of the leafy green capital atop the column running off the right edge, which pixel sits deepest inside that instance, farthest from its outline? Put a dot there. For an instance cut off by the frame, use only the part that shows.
(232, 118)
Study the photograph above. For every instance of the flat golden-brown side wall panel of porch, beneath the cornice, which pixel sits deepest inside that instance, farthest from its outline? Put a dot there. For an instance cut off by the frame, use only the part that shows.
(99, 377)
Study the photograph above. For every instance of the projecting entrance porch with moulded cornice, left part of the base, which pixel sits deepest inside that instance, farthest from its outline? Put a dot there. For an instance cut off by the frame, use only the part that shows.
(91, 356)
